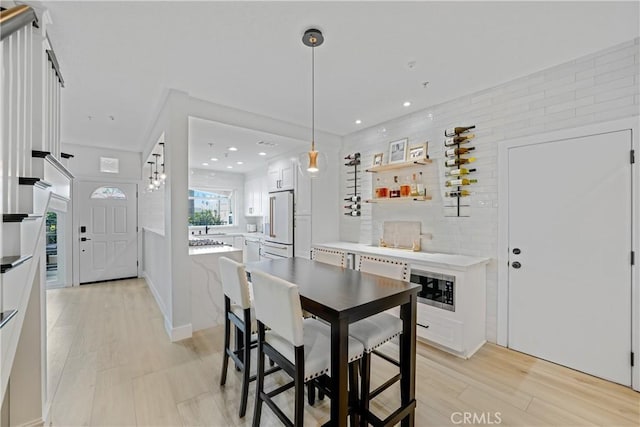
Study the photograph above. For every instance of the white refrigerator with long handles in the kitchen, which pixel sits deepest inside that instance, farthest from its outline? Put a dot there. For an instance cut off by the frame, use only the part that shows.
(278, 240)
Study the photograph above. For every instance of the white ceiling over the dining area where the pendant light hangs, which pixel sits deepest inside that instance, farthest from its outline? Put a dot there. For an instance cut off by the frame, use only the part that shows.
(118, 58)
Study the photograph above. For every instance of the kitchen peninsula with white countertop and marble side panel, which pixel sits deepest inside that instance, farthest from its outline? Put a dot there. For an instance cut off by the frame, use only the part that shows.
(207, 301)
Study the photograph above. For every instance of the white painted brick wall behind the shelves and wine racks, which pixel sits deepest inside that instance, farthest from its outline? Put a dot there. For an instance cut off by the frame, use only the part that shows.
(599, 87)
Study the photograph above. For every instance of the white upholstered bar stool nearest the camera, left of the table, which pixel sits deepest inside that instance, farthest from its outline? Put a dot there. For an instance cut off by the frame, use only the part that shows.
(301, 347)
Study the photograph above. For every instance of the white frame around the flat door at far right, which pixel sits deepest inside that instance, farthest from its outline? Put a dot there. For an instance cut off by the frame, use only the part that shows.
(502, 315)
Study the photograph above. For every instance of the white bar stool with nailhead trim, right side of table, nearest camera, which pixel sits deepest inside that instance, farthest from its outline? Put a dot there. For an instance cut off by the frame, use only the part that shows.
(376, 330)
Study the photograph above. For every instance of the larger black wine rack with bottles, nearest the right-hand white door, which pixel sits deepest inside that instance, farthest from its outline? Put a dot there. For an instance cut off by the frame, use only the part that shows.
(453, 152)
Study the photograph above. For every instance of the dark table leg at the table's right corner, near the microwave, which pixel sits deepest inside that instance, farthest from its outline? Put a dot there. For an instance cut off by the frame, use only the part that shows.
(408, 357)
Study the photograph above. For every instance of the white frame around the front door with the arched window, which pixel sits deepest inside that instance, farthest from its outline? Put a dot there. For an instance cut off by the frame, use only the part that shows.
(75, 238)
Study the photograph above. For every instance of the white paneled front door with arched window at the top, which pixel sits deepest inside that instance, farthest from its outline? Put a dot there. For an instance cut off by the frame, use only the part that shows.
(108, 231)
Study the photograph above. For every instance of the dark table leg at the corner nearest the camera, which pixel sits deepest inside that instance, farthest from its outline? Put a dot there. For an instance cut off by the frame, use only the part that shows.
(339, 364)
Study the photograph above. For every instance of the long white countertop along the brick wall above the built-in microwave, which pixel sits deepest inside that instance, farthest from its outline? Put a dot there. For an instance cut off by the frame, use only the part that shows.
(427, 258)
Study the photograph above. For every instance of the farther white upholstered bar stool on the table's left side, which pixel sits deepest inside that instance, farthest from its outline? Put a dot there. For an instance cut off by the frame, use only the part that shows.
(239, 311)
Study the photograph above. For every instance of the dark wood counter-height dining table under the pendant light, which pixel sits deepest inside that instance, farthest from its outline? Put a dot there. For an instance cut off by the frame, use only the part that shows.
(342, 296)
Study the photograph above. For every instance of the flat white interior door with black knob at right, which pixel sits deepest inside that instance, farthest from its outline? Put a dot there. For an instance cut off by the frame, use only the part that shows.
(570, 218)
